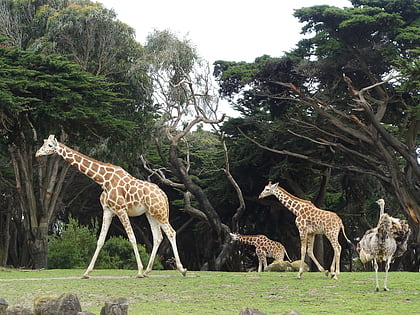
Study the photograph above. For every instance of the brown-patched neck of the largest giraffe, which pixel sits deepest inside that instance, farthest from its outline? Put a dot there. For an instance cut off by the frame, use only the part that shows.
(86, 165)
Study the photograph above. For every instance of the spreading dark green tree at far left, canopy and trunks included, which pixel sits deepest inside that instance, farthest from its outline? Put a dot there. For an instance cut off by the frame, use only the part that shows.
(40, 95)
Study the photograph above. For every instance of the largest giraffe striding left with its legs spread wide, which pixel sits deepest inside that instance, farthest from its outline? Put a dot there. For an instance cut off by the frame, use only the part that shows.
(124, 196)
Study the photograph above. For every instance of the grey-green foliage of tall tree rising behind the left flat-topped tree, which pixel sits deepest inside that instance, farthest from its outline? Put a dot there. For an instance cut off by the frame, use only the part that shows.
(87, 34)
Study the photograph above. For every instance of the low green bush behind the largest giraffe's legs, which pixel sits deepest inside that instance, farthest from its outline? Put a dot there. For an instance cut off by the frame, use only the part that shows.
(75, 246)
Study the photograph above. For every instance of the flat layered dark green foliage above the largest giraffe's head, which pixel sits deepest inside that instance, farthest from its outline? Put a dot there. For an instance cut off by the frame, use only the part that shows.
(36, 88)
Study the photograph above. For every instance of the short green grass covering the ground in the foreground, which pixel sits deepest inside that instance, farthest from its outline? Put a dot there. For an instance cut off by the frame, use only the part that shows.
(167, 292)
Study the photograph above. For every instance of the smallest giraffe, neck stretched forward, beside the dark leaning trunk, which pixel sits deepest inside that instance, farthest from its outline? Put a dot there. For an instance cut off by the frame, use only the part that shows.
(264, 247)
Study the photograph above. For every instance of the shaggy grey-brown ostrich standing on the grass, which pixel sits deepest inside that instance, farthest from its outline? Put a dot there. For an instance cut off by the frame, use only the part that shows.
(384, 242)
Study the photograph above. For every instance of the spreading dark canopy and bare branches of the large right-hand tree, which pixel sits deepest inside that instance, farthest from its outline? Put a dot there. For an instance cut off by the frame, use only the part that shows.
(342, 99)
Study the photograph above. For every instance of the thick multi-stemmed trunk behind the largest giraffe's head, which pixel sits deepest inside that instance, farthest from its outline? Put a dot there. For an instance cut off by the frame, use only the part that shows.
(38, 189)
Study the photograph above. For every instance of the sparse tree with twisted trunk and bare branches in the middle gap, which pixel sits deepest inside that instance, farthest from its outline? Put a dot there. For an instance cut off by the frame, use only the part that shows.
(183, 90)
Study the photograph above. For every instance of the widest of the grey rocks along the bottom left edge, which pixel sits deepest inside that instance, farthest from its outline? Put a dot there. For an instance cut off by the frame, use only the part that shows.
(67, 303)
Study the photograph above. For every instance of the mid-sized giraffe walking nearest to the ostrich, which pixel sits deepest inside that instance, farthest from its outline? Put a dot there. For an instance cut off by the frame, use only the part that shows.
(311, 221)
